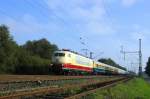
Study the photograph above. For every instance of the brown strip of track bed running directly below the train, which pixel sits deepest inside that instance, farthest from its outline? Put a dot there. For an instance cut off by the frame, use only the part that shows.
(19, 79)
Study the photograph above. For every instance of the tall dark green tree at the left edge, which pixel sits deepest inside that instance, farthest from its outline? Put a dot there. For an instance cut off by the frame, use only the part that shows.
(7, 50)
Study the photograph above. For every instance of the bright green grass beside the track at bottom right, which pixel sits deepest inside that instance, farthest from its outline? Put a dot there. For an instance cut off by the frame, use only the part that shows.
(134, 89)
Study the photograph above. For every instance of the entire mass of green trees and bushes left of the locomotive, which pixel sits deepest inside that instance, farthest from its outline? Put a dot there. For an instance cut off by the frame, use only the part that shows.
(32, 58)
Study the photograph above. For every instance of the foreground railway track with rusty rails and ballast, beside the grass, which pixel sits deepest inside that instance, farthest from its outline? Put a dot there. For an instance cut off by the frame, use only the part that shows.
(56, 88)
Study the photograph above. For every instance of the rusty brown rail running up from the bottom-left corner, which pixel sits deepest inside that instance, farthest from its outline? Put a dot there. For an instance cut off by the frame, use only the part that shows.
(47, 90)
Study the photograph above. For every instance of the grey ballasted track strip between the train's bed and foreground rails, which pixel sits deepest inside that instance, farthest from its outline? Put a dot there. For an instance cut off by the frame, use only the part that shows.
(7, 86)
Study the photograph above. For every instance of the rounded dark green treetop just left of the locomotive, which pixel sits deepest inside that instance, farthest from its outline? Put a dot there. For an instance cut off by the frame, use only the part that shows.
(41, 47)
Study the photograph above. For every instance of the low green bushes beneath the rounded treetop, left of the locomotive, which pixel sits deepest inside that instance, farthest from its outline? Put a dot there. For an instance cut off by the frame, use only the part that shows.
(28, 64)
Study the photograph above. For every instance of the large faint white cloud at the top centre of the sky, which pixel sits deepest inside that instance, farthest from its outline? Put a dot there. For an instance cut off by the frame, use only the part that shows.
(85, 16)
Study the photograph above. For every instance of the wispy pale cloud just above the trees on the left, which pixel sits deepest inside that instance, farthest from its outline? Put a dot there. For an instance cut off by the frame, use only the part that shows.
(28, 24)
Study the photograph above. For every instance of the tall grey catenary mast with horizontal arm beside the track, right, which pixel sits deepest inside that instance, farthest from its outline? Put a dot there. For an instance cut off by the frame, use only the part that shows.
(139, 53)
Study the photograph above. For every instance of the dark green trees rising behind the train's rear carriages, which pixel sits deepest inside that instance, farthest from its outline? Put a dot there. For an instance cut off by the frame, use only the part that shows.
(109, 61)
